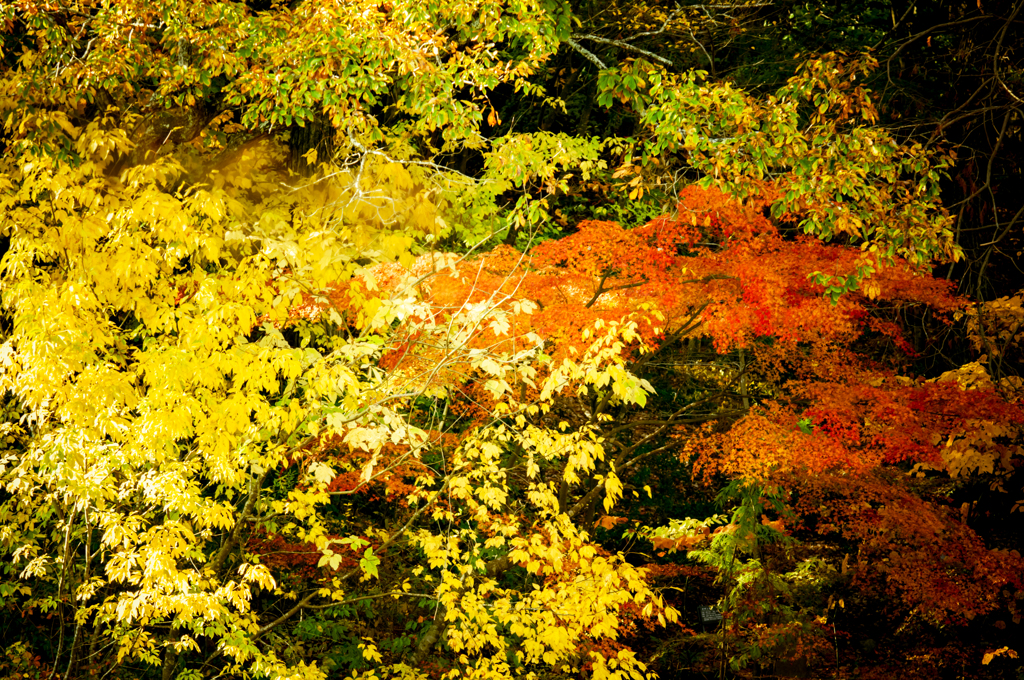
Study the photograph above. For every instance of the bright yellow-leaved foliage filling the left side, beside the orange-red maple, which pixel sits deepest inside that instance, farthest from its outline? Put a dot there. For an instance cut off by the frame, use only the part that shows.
(184, 339)
